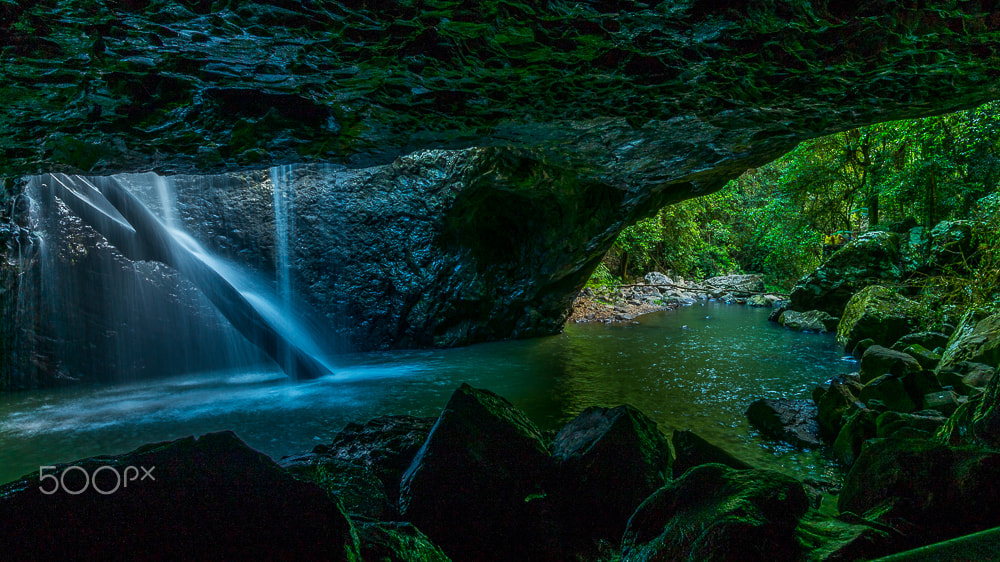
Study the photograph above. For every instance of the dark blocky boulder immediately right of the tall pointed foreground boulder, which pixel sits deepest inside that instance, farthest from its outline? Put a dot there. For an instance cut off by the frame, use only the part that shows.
(609, 461)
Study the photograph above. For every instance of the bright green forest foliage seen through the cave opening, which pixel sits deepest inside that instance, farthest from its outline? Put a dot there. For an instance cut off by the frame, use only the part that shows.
(772, 219)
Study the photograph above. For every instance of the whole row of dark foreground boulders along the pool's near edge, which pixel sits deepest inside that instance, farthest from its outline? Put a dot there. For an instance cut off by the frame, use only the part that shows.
(480, 482)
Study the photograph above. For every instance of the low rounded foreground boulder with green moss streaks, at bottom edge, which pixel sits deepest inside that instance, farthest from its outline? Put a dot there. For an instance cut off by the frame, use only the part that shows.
(716, 513)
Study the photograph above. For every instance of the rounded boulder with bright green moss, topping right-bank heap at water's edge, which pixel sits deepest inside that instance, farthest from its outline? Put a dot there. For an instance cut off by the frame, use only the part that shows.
(879, 313)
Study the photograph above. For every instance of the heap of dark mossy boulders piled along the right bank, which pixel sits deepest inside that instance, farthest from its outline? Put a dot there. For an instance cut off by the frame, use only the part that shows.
(918, 424)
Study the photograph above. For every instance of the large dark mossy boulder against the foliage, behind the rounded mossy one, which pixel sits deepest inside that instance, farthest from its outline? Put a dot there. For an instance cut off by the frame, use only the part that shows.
(872, 258)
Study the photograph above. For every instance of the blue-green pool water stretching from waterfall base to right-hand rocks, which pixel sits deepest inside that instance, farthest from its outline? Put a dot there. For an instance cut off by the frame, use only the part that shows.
(695, 368)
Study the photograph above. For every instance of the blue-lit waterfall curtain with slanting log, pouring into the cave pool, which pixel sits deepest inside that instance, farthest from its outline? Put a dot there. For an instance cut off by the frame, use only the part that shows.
(158, 300)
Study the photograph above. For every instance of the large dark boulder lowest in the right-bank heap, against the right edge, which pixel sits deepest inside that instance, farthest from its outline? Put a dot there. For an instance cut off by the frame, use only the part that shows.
(926, 490)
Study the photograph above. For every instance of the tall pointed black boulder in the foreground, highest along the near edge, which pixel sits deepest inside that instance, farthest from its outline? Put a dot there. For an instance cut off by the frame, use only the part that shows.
(475, 487)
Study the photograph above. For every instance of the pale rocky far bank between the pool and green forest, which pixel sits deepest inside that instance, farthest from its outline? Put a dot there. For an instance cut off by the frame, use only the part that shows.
(660, 292)
